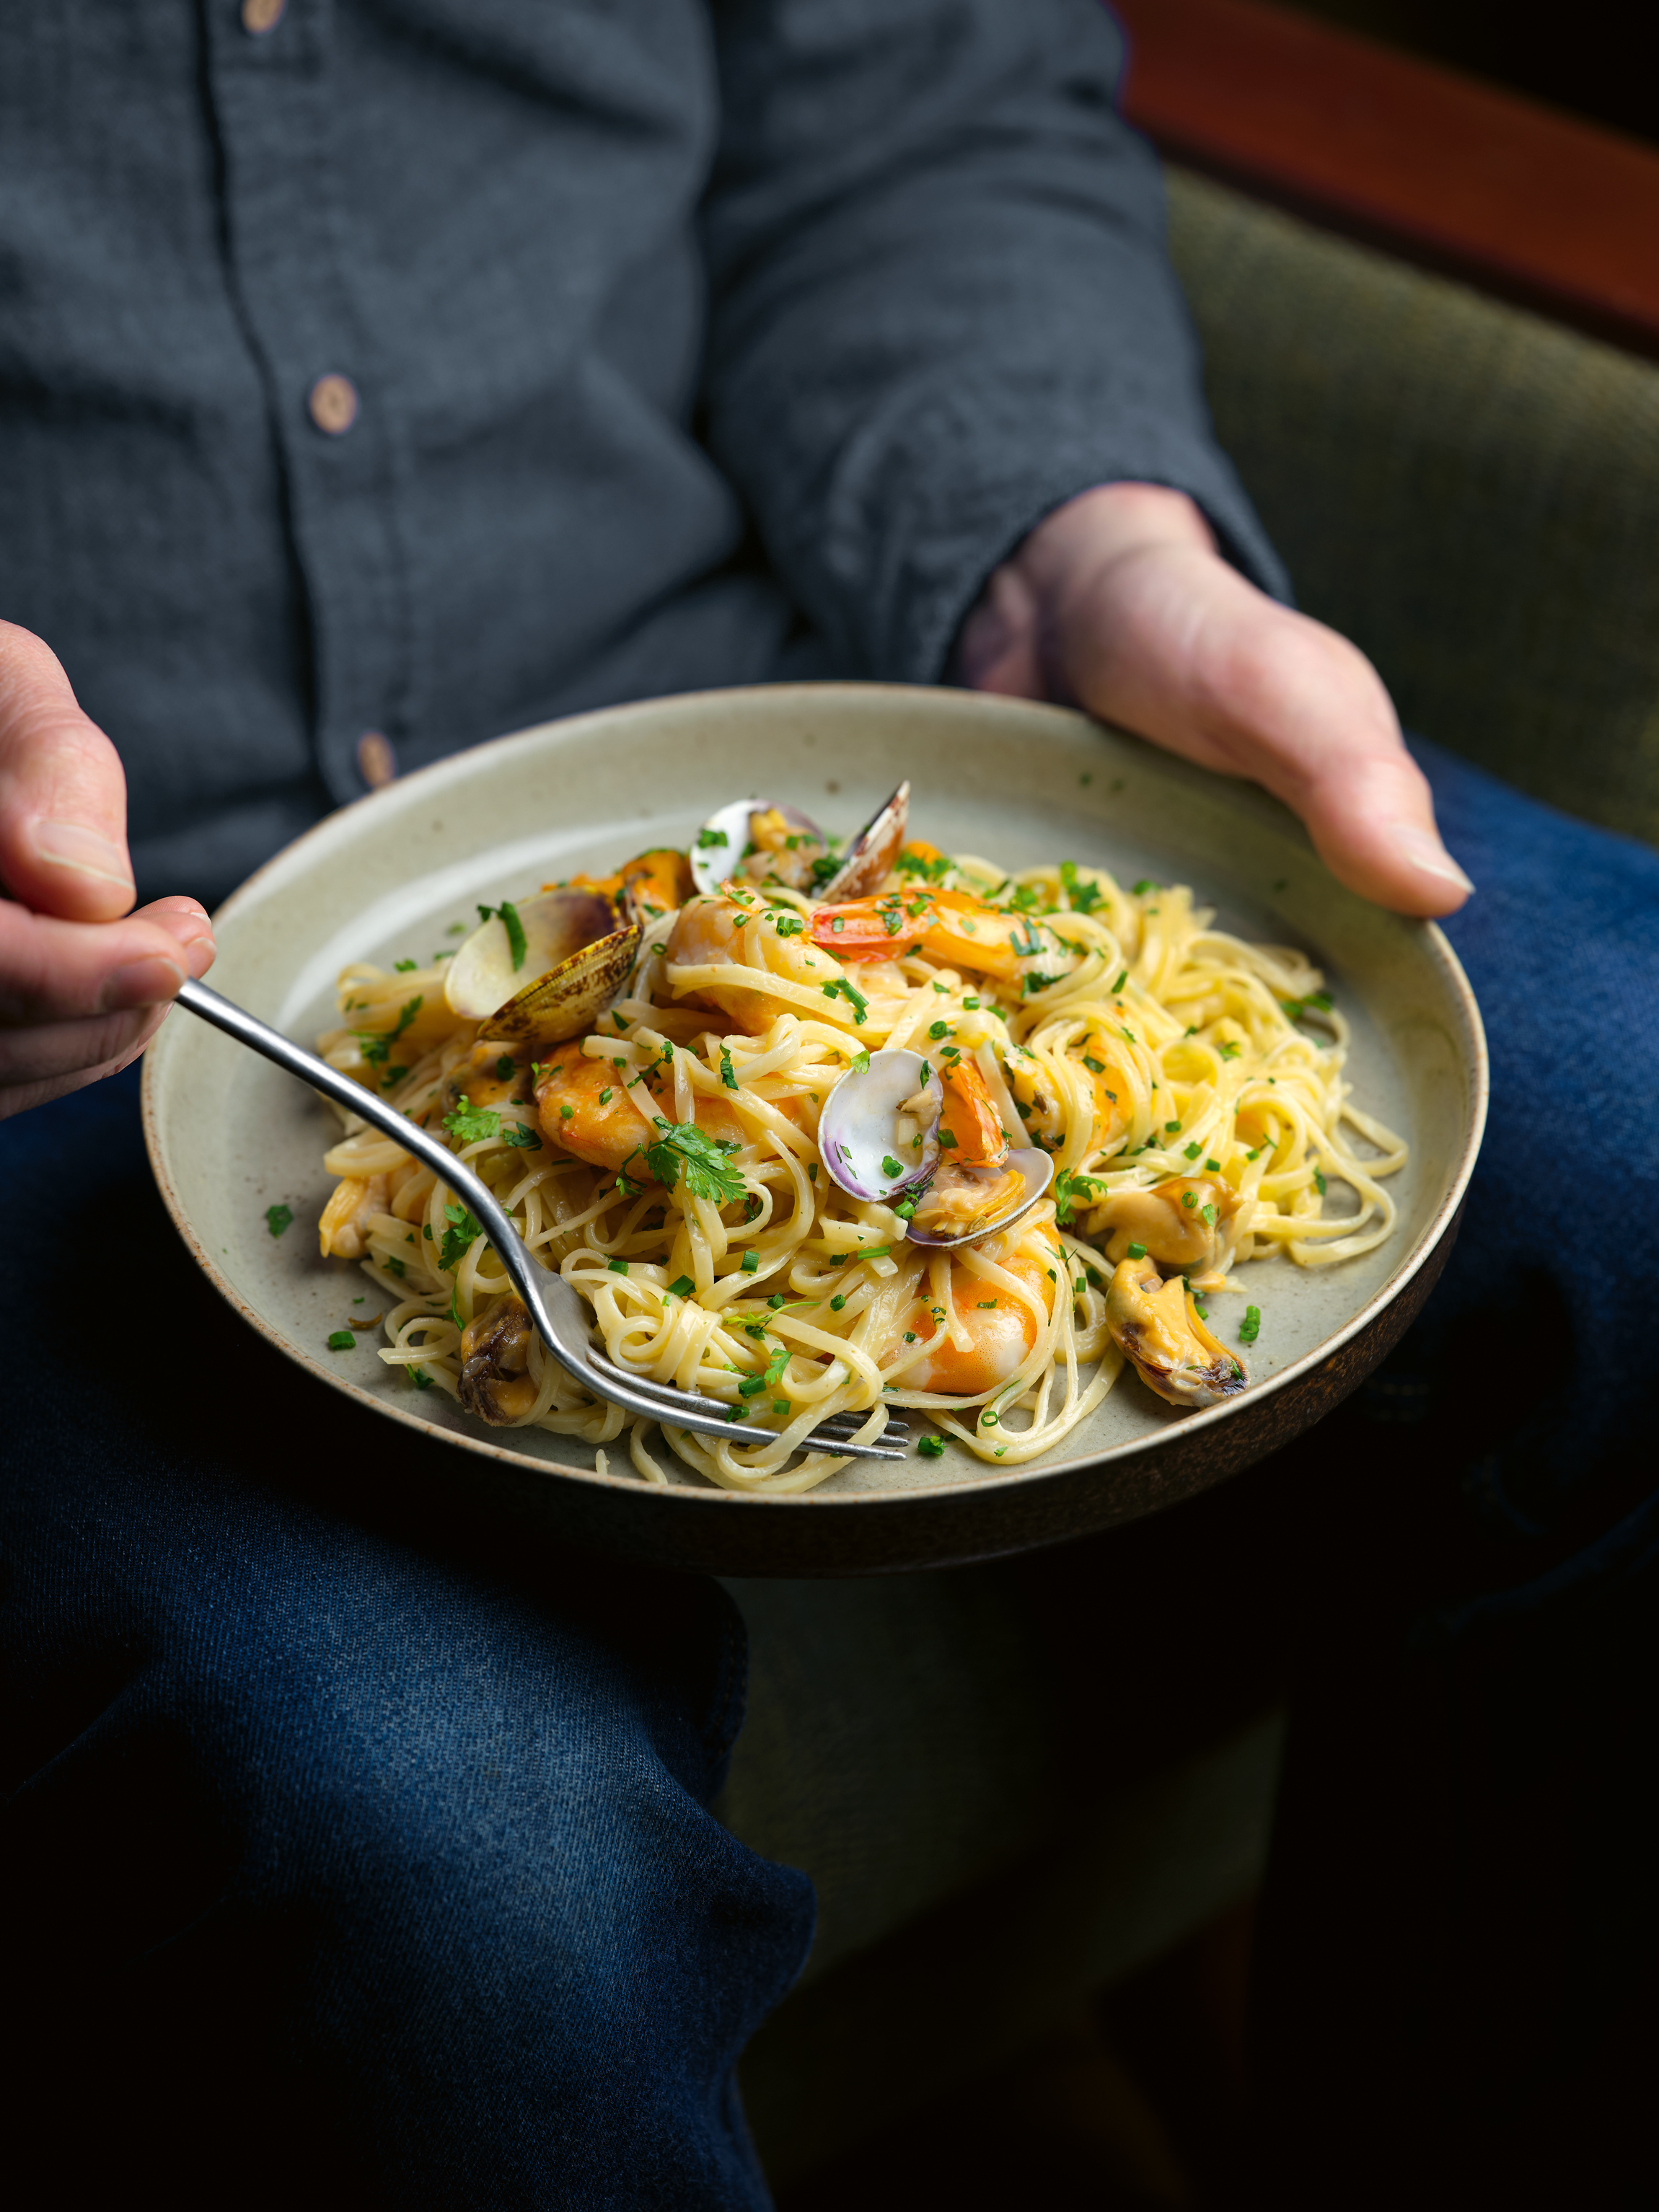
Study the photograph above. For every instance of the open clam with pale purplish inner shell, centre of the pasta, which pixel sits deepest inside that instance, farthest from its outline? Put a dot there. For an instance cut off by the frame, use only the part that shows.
(897, 1127)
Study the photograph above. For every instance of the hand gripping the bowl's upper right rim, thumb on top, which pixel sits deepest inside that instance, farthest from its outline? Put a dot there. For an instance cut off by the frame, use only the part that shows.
(1123, 605)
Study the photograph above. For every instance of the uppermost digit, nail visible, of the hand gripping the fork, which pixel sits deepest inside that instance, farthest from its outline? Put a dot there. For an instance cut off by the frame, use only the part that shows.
(63, 793)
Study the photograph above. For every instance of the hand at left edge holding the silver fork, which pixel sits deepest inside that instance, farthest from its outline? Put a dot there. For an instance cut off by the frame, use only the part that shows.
(81, 990)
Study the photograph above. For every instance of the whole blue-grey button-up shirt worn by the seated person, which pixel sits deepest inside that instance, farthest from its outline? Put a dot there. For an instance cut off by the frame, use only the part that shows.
(435, 368)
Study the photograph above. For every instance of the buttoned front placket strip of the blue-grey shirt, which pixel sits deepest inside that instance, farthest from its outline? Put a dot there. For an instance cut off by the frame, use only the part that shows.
(278, 107)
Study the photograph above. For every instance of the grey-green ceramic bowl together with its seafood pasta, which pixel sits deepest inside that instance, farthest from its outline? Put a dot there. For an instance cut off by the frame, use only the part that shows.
(853, 1052)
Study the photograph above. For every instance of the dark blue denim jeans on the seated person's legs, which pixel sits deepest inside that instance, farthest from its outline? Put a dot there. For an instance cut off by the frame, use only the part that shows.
(357, 1848)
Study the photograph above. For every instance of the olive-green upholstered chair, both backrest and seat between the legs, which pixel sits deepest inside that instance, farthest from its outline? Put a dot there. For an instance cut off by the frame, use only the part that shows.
(1474, 497)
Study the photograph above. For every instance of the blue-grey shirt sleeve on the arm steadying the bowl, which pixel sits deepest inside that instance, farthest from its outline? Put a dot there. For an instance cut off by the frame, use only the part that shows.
(939, 306)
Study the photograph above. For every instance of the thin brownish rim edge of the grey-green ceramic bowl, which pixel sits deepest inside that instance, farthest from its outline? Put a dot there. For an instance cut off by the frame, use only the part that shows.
(435, 775)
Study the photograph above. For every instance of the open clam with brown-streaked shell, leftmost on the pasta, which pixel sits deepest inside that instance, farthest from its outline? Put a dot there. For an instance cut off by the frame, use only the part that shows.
(545, 970)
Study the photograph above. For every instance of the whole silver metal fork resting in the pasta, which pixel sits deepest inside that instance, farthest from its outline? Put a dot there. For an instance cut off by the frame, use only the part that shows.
(554, 1306)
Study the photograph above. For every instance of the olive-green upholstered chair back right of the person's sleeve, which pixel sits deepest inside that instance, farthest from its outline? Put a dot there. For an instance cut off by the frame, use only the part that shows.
(1468, 492)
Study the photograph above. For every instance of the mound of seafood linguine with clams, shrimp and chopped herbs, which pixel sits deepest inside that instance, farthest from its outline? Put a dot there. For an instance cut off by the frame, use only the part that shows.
(824, 1129)
